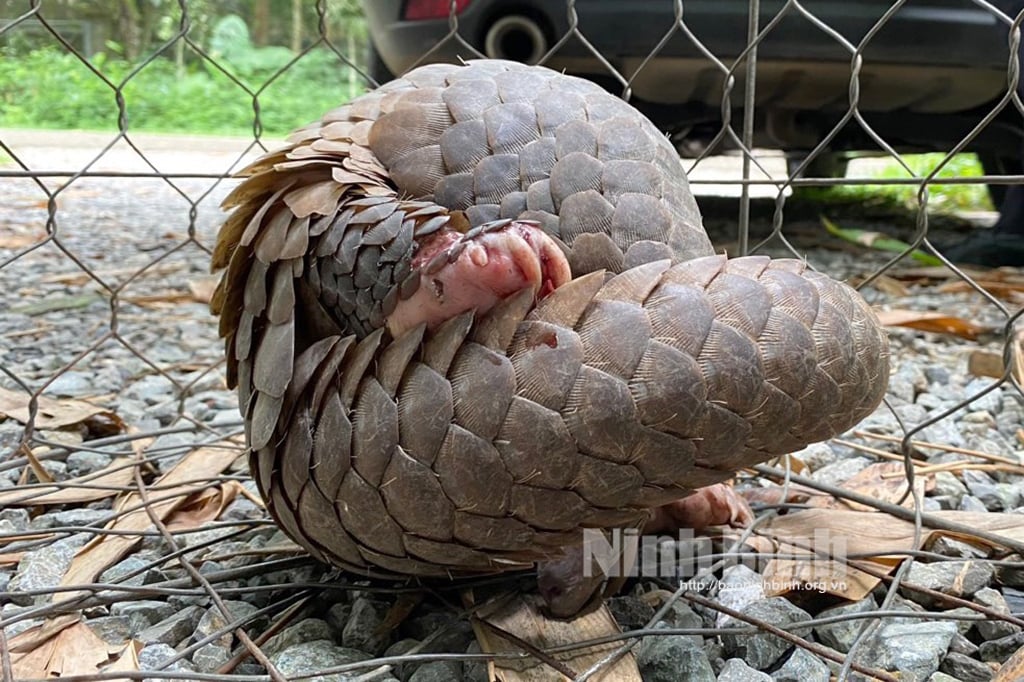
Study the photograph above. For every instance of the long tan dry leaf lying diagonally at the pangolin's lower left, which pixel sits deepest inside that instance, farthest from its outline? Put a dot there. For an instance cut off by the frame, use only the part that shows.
(105, 551)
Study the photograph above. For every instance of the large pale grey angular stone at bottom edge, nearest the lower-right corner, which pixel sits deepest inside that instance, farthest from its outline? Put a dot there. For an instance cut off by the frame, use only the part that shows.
(913, 650)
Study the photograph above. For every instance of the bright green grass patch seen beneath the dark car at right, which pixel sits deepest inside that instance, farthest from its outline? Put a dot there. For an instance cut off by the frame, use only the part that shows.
(942, 198)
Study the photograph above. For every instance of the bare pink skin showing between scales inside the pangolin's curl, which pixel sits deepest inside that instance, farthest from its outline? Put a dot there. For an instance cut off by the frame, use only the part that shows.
(490, 268)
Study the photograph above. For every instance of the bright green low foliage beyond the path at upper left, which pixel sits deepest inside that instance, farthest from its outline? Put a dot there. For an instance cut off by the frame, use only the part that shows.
(50, 89)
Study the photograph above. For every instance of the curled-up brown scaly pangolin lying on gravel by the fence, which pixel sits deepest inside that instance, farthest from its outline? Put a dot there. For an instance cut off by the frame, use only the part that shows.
(475, 312)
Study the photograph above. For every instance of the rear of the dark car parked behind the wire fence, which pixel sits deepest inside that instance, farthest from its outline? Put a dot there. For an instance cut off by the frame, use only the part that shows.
(930, 70)
